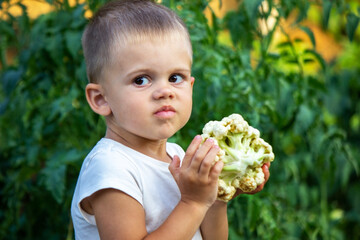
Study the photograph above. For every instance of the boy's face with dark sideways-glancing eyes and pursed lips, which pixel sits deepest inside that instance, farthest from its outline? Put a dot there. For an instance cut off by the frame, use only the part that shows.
(149, 89)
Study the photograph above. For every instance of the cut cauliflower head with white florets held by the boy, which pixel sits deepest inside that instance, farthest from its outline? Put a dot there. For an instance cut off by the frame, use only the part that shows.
(243, 153)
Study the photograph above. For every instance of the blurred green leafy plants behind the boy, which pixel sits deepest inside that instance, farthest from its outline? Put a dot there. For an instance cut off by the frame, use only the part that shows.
(311, 120)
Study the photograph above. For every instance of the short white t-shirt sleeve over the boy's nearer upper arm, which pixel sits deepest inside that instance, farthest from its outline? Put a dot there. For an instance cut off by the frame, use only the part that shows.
(109, 170)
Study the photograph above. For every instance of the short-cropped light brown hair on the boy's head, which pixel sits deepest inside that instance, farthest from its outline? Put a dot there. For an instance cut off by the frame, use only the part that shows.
(121, 22)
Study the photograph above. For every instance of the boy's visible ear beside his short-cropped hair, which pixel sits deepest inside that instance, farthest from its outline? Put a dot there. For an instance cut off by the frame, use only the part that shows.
(96, 99)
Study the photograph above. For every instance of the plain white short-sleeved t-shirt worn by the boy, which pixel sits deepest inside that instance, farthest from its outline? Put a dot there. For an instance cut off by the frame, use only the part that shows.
(113, 165)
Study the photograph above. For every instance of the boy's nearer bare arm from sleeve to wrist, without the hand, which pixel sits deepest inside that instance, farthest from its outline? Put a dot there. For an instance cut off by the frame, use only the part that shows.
(119, 216)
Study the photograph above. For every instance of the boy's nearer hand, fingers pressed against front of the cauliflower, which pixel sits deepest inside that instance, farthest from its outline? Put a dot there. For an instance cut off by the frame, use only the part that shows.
(197, 176)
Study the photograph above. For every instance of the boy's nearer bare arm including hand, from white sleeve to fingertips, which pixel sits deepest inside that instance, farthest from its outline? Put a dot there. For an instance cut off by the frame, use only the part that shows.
(119, 216)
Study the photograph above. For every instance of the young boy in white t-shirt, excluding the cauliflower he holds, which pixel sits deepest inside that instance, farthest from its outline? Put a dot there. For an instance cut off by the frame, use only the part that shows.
(134, 184)
